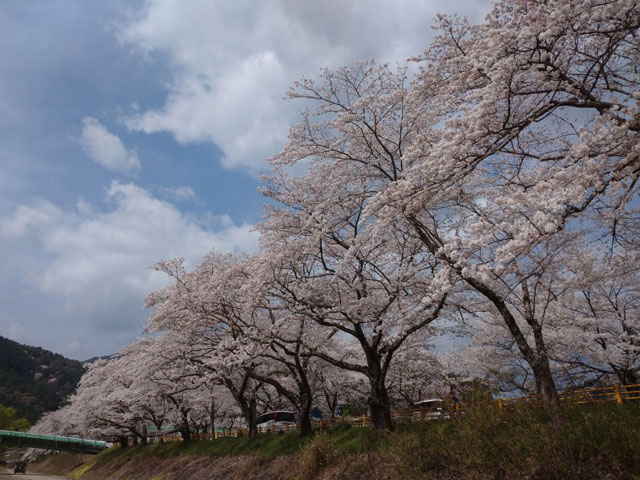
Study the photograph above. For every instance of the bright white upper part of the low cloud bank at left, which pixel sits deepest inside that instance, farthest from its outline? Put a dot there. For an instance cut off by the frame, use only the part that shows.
(100, 250)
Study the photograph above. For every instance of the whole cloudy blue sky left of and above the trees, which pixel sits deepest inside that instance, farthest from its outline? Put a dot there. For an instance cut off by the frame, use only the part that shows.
(132, 132)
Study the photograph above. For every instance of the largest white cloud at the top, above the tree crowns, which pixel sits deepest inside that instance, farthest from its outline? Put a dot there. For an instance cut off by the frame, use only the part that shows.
(235, 59)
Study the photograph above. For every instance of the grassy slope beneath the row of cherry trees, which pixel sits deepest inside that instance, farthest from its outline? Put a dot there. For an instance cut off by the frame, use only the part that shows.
(592, 442)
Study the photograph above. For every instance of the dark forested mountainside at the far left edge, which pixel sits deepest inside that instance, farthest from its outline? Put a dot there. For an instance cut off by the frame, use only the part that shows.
(34, 380)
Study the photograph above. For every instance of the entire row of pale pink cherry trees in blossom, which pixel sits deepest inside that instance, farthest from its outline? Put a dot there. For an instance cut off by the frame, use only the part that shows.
(492, 198)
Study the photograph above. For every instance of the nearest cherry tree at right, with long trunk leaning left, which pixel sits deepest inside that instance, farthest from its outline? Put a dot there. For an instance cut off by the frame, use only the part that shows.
(539, 133)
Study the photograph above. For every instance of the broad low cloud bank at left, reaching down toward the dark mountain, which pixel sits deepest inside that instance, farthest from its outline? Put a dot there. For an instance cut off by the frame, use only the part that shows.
(88, 267)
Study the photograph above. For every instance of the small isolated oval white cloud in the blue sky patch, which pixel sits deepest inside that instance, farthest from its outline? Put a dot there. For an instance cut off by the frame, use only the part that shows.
(106, 149)
